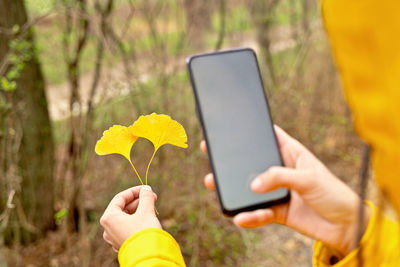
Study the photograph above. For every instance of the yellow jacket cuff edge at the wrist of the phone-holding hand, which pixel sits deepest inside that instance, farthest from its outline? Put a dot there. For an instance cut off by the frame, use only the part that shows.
(325, 256)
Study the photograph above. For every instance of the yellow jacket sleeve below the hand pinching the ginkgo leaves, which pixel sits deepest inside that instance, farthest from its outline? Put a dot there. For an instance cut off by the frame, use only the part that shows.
(151, 247)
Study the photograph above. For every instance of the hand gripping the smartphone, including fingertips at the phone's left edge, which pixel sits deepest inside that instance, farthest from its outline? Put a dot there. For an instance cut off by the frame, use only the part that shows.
(321, 206)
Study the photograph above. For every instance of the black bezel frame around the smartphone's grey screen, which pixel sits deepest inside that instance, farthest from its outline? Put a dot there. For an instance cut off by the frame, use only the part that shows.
(266, 204)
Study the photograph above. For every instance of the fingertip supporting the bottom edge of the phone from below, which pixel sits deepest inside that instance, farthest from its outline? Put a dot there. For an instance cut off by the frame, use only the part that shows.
(254, 219)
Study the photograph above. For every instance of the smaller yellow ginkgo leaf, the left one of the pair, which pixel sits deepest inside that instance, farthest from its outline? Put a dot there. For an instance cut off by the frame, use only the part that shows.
(117, 139)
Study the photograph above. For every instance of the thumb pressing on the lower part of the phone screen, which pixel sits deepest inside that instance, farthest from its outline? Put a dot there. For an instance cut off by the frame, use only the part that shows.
(282, 177)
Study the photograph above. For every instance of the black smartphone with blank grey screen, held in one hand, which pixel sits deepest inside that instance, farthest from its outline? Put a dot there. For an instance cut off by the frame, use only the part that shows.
(237, 126)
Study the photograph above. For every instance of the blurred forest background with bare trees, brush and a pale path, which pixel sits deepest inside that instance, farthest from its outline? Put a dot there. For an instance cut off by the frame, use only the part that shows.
(69, 69)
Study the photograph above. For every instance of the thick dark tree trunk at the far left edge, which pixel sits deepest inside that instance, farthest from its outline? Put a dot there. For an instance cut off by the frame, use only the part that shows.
(34, 212)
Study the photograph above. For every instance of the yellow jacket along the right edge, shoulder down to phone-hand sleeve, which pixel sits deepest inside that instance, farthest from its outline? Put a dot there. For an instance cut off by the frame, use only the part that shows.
(365, 40)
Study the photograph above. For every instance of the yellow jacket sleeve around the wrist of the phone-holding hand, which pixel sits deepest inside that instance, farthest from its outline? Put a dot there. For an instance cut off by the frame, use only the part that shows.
(379, 246)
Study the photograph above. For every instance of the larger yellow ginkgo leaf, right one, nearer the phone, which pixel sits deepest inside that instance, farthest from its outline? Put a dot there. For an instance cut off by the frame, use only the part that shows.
(160, 129)
